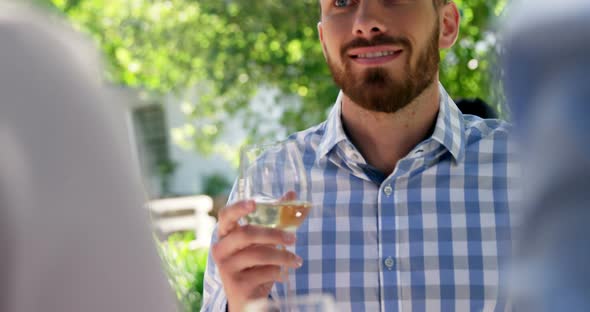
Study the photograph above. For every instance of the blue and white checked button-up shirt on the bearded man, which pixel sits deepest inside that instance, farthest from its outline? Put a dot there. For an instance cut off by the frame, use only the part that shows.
(432, 236)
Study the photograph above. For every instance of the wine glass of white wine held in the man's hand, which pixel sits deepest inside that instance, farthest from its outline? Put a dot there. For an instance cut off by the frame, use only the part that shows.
(273, 175)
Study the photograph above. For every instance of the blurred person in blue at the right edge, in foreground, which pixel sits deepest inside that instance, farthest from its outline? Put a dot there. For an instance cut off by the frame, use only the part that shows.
(548, 89)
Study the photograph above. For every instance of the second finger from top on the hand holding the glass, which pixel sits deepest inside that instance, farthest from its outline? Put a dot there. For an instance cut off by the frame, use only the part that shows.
(248, 235)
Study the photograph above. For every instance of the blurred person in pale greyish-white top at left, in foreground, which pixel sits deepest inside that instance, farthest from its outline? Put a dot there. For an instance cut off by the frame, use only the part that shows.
(73, 234)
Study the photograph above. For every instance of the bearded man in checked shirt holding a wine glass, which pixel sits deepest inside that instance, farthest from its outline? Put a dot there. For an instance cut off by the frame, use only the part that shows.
(411, 198)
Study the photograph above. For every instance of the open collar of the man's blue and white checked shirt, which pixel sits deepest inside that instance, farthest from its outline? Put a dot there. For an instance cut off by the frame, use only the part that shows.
(448, 130)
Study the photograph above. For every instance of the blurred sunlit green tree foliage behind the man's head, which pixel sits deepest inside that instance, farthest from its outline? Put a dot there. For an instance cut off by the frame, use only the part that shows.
(227, 50)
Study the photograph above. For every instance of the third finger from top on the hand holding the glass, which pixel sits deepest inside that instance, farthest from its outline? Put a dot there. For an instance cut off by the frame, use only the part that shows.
(261, 256)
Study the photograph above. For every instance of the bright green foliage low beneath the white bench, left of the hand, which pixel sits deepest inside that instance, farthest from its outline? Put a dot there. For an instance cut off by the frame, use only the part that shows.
(185, 267)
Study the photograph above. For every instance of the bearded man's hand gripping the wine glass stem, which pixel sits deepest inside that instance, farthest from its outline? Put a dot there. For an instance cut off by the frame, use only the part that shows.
(247, 257)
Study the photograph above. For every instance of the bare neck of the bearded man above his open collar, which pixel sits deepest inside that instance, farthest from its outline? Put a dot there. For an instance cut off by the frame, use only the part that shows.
(385, 138)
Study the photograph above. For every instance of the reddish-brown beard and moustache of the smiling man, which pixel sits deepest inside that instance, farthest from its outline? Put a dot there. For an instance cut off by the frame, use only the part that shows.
(375, 89)
